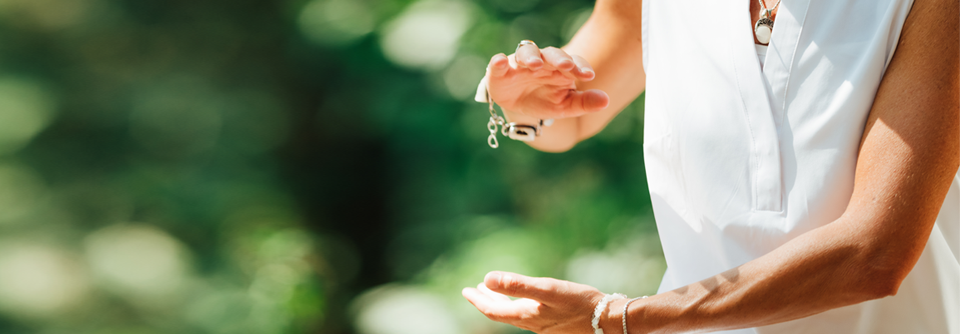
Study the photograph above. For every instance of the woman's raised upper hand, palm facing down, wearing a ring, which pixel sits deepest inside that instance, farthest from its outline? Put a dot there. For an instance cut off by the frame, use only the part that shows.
(542, 83)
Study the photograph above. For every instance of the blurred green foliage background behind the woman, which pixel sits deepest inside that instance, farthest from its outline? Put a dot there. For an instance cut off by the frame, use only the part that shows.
(290, 166)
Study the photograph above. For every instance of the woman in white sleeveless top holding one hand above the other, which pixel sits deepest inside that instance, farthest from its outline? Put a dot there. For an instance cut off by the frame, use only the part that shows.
(796, 186)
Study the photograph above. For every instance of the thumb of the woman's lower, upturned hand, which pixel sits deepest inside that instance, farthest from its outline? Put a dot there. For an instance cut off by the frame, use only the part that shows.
(516, 285)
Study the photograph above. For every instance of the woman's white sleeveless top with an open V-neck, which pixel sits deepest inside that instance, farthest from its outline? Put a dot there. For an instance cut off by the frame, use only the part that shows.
(741, 159)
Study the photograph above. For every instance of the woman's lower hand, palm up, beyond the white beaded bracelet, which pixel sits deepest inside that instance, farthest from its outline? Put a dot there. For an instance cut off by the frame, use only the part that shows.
(546, 305)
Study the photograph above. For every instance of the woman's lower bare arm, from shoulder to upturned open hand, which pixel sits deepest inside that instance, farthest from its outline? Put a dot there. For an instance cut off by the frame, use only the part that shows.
(909, 152)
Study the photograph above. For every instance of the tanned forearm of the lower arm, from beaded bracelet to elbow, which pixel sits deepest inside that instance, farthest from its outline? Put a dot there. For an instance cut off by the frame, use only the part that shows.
(818, 271)
